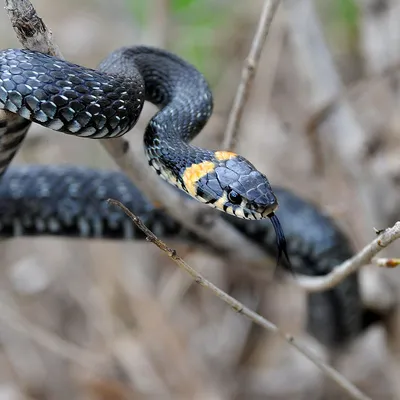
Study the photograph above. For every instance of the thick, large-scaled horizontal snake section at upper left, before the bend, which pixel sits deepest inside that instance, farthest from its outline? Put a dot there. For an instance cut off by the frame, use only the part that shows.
(68, 98)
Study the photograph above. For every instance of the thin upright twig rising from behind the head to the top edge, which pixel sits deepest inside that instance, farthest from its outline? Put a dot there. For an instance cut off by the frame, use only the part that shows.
(248, 73)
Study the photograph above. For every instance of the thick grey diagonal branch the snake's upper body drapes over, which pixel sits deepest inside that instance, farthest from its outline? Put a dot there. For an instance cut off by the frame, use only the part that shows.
(35, 35)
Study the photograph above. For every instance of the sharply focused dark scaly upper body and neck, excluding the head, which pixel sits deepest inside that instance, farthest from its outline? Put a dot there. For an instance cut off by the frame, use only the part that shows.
(107, 102)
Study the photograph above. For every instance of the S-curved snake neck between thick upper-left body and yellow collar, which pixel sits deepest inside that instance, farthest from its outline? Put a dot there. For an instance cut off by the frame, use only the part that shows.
(185, 100)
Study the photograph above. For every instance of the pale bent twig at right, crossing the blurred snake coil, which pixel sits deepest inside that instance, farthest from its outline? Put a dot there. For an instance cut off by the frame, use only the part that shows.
(364, 257)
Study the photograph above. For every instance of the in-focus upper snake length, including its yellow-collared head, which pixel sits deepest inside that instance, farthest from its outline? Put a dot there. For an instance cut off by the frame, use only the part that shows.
(107, 102)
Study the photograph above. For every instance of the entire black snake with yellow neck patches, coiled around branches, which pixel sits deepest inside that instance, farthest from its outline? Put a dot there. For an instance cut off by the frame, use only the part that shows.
(106, 103)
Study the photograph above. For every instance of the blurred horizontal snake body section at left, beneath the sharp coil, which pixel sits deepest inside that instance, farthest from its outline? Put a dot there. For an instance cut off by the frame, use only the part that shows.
(72, 201)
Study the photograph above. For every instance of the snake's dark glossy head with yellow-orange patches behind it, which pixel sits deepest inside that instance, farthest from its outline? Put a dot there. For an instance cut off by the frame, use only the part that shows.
(231, 184)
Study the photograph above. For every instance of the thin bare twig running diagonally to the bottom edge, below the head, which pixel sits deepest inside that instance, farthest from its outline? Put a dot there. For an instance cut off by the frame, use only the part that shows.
(241, 308)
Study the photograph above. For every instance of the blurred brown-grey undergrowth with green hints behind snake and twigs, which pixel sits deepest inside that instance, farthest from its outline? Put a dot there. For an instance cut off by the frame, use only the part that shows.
(99, 320)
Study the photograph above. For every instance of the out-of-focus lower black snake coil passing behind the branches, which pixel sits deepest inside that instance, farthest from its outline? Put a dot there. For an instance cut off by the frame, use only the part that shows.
(71, 201)
